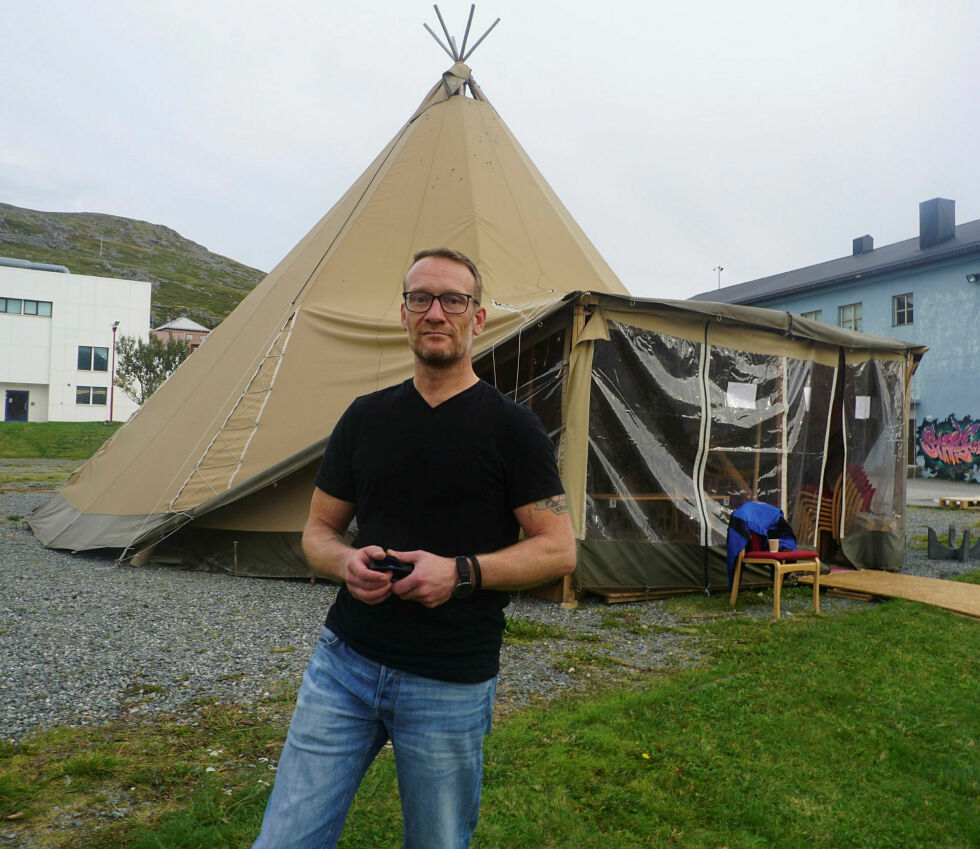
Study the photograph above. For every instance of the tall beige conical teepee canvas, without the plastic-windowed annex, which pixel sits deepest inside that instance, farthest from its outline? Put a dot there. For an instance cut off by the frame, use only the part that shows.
(227, 443)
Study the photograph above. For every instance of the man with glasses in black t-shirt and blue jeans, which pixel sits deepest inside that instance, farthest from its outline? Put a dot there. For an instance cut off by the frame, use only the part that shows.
(442, 472)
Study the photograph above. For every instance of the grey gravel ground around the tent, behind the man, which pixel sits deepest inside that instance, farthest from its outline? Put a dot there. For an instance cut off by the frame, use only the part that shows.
(83, 641)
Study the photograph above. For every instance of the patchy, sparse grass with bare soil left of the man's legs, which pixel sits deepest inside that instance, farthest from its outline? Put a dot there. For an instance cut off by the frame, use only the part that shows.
(179, 781)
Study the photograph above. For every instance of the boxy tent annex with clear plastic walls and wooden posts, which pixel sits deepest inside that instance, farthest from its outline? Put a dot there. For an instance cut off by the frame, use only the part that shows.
(667, 415)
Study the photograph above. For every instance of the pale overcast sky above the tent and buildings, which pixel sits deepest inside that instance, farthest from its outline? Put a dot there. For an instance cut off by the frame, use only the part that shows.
(758, 136)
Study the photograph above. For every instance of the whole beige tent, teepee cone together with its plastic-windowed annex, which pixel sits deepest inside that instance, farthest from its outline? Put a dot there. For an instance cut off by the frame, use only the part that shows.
(664, 413)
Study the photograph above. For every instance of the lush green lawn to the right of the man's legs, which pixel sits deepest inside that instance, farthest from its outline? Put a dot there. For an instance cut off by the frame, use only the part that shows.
(774, 744)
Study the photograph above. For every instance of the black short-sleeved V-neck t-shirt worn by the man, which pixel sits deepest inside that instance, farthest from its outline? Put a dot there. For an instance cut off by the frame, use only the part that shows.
(442, 479)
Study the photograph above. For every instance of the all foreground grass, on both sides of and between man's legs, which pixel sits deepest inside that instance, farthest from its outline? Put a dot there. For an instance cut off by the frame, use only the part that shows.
(856, 730)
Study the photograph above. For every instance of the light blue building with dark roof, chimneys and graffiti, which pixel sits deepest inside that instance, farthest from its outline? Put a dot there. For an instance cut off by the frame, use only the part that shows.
(924, 290)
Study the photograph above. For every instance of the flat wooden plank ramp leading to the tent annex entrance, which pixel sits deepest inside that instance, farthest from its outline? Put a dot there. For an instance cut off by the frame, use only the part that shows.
(950, 595)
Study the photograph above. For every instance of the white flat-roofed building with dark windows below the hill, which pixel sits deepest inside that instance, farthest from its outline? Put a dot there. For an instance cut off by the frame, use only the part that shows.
(56, 342)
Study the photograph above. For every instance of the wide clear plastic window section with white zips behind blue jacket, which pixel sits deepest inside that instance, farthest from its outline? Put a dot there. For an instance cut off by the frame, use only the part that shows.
(680, 434)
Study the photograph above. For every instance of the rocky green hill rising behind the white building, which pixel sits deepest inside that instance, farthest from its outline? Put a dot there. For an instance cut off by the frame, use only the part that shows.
(187, 278)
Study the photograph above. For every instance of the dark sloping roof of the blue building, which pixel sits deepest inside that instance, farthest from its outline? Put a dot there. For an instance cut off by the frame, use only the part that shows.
(884, 260)
